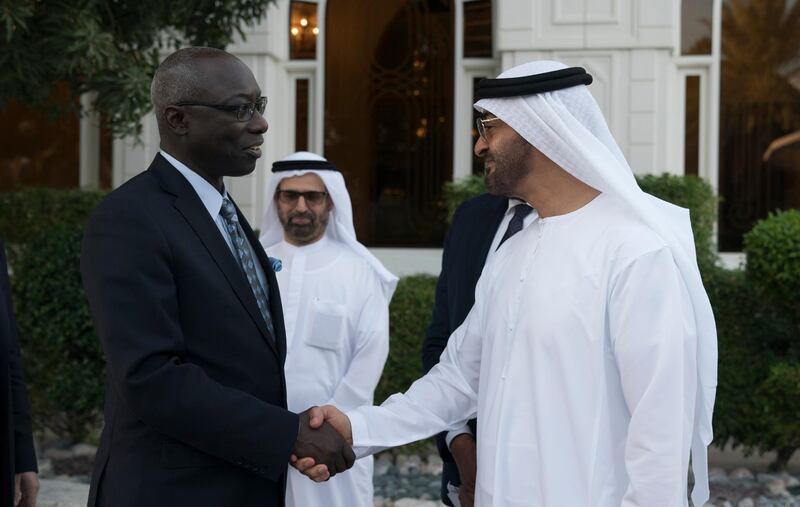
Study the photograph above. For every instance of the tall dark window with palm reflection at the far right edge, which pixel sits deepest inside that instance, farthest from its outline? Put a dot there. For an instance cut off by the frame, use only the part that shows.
(759, 136)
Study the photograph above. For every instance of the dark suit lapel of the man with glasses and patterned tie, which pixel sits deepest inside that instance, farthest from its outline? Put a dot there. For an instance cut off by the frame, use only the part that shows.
(189, 205)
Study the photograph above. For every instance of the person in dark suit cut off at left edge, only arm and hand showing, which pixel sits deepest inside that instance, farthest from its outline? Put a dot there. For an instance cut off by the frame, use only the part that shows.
(19, 479)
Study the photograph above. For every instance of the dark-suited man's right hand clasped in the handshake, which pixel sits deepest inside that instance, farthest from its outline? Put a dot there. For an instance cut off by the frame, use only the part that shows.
(324, 446)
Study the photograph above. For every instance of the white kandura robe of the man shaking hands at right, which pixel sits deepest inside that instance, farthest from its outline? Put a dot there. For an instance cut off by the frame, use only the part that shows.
(579, 358)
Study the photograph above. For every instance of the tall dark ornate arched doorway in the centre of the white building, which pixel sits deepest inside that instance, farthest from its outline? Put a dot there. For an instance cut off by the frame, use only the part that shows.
(388, 114)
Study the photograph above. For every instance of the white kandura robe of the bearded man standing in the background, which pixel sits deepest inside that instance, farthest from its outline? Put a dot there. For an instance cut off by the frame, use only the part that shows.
(337, 337)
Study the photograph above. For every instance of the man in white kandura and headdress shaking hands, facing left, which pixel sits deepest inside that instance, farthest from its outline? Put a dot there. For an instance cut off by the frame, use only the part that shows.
(590, 354)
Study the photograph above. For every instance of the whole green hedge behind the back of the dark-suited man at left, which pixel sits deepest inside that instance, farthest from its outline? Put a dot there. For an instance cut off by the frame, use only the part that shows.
(61, 356)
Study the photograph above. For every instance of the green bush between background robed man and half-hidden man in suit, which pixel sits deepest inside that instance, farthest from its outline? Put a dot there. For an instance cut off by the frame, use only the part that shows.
(409, 316)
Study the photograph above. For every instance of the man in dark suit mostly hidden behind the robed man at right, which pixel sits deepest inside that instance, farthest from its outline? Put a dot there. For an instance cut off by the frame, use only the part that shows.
(480, 225)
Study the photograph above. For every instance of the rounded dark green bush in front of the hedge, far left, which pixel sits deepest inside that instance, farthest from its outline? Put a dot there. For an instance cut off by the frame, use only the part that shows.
(63, 360)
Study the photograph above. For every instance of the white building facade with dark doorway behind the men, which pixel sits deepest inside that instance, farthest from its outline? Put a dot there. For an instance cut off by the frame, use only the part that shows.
(661, 98)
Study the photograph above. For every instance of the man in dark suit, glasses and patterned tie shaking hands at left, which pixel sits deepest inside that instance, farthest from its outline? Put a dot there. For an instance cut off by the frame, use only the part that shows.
(187, 308)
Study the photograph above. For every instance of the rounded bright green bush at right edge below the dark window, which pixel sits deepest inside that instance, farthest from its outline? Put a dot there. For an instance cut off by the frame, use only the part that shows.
(773, 258)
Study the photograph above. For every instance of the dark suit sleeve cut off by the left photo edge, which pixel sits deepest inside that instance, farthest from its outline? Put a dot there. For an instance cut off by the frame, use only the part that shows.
(24, 453)
